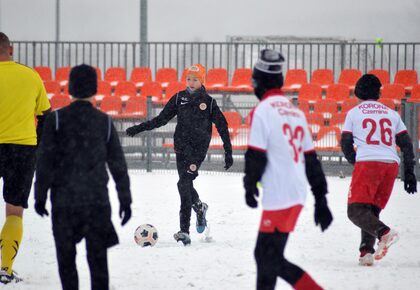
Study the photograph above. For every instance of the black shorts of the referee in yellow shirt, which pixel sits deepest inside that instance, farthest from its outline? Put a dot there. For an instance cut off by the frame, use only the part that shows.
(17, 166)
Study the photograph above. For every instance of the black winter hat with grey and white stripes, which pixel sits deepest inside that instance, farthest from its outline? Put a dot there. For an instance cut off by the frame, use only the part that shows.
(268, 71)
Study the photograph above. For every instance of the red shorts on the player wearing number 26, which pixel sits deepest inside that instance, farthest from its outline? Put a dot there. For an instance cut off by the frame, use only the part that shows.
(372, 182)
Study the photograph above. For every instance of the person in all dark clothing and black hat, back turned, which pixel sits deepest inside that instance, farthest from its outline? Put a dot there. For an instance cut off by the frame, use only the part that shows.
(77, 143)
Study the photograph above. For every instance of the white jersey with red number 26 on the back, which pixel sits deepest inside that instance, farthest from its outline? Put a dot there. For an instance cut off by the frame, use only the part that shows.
(374, 127)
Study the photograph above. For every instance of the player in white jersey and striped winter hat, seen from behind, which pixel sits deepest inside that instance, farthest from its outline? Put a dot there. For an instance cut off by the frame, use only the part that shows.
(279, 153)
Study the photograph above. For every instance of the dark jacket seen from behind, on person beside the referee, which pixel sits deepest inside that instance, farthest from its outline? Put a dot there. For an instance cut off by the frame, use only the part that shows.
(77, 143)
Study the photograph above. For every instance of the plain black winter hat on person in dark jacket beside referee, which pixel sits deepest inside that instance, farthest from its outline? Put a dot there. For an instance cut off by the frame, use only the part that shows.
(83, 82)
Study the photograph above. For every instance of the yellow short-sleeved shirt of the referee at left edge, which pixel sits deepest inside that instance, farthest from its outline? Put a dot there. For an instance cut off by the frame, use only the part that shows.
(22, 96)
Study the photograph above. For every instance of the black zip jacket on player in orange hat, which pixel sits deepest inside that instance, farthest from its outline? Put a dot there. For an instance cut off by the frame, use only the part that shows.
(195, 113)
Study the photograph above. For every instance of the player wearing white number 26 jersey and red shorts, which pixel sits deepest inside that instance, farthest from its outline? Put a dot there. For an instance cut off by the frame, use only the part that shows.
(375, 130)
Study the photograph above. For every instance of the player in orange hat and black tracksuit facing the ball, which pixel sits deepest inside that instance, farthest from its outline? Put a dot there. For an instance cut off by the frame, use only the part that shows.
(196, 111)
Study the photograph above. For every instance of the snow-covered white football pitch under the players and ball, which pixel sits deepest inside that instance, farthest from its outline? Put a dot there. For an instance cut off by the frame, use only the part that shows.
(227, 262)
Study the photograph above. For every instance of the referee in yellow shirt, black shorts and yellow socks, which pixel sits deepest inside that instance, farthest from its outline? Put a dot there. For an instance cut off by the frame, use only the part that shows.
(22, 97)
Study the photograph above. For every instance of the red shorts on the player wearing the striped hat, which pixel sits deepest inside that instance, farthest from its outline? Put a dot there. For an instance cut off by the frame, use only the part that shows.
(284, 220)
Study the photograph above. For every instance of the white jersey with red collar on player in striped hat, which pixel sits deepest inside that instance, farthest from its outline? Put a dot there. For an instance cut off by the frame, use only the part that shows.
(280, 129)
